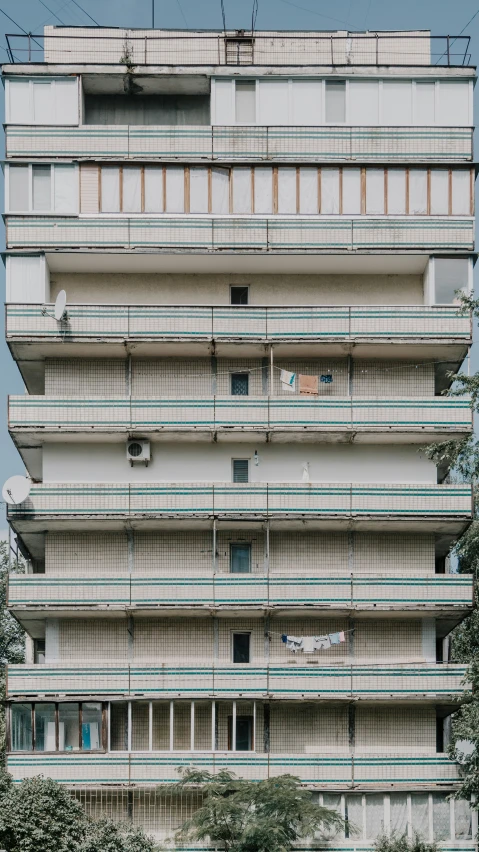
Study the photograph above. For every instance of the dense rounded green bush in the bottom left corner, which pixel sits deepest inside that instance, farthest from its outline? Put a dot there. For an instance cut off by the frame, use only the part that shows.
(39, 815)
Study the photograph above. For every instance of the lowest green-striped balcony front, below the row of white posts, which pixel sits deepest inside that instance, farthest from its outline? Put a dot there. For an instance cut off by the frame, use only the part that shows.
(405, 770)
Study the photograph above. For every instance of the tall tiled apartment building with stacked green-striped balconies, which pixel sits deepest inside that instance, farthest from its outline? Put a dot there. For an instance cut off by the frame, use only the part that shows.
(237, 547)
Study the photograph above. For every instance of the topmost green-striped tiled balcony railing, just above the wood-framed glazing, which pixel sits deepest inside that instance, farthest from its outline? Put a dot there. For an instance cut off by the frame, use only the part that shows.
(246, 144)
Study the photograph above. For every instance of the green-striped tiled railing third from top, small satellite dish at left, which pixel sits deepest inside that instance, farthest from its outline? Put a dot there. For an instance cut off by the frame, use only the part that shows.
(332, 324)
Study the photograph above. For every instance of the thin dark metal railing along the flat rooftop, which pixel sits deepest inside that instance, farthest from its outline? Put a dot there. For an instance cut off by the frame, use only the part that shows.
(133, 48)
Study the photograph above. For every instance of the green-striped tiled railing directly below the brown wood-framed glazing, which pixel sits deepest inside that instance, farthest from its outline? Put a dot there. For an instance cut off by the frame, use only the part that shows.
(248, 233)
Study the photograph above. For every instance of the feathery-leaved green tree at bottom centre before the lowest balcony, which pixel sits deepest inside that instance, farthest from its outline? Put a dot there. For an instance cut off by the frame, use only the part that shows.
(237, 815)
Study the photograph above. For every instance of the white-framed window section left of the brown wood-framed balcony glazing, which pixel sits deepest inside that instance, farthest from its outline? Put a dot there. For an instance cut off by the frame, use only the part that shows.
(43, 189)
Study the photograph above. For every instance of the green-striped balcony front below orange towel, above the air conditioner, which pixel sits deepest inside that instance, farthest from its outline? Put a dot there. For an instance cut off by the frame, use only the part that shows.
(351, 419)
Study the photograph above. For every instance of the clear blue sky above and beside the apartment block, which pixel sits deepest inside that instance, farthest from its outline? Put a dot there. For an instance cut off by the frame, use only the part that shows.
(441, 16)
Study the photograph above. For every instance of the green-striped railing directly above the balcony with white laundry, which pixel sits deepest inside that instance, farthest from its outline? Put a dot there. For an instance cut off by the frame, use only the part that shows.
(276, 589)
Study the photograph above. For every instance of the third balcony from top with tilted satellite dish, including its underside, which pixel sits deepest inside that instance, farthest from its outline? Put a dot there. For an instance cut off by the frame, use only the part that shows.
(373, 331)
